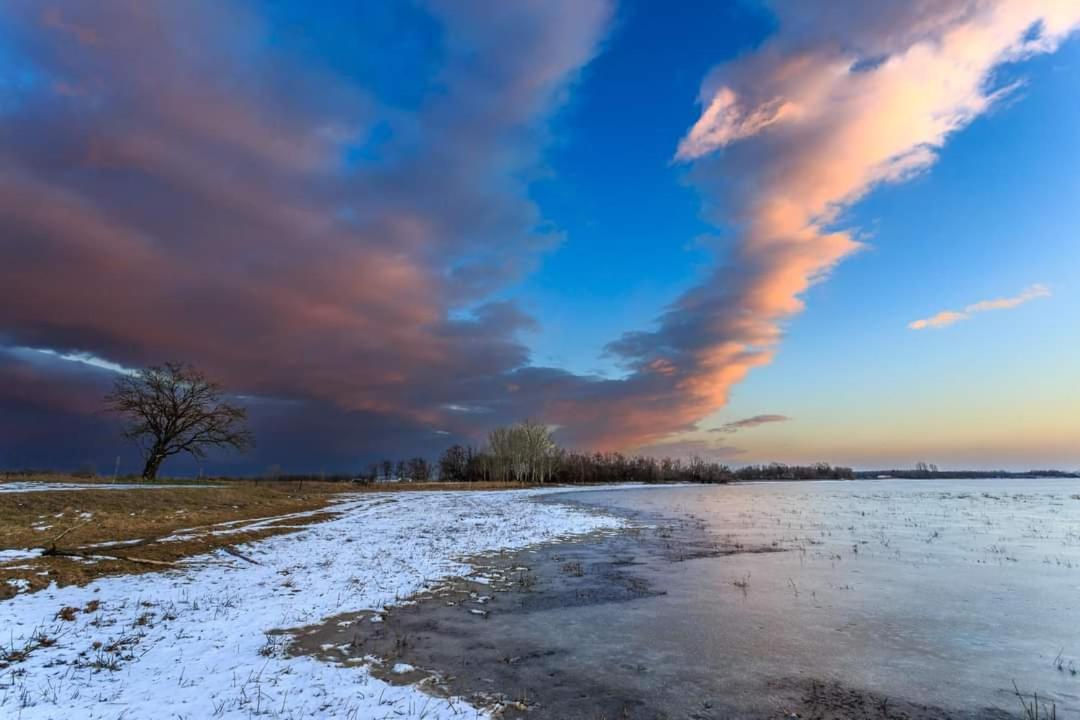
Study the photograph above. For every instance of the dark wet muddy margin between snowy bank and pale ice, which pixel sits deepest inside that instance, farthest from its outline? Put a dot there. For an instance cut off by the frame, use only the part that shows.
(454, 640)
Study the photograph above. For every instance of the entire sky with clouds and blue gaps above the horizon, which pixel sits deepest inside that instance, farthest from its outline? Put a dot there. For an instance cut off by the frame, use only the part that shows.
(753, 232)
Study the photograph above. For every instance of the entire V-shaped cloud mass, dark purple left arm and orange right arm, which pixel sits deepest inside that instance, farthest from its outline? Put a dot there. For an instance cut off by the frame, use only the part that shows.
(325, 232)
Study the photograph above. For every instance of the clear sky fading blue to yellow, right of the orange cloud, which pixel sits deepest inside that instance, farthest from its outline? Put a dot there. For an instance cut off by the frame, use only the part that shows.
(995, 215)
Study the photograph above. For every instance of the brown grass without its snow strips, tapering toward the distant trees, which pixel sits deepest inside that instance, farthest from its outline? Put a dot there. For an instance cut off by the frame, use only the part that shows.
(148, 515)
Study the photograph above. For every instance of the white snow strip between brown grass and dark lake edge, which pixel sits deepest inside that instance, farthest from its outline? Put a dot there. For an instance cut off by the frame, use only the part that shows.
(193, 644)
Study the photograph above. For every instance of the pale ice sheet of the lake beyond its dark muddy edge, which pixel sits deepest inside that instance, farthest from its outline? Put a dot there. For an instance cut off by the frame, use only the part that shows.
(941, 593)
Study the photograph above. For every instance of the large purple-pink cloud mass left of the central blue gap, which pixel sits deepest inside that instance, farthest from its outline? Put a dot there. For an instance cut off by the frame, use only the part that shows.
(184, 183)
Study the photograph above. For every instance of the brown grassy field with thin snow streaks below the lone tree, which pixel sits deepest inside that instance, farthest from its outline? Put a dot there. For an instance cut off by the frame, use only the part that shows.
(105, 533)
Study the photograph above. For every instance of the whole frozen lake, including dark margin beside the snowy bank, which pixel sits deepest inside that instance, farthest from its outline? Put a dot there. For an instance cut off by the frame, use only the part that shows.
(886, 600)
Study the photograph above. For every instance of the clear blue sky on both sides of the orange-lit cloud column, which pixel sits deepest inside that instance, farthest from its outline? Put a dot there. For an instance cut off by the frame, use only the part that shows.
(996, 214)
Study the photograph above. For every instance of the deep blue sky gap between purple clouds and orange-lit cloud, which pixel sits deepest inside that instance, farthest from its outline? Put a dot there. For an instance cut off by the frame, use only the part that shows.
(630, 221)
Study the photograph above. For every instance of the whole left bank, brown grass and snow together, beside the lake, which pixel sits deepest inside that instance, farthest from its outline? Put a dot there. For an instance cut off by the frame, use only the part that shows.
(194, 637)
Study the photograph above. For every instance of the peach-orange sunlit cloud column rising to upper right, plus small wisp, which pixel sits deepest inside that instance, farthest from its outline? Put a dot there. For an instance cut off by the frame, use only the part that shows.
(840, 102)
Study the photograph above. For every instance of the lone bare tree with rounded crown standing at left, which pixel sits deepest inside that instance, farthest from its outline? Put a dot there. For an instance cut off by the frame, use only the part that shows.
(175, 409)
